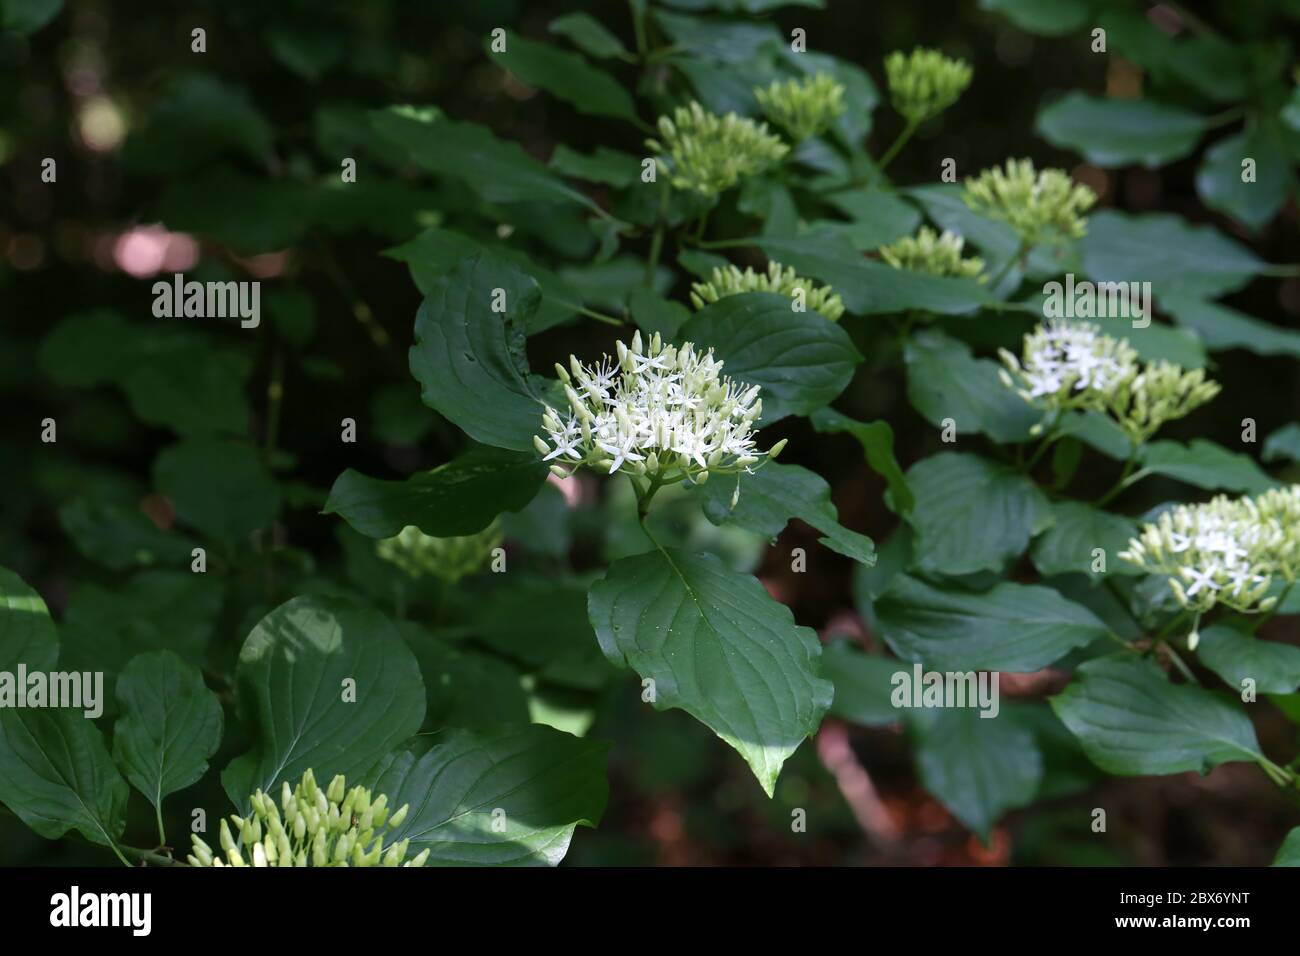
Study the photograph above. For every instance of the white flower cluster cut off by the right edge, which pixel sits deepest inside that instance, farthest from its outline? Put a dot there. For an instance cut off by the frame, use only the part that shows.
(1227, 551)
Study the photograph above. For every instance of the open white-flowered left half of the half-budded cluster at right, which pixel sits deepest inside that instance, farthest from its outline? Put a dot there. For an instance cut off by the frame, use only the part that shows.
(1072, 362)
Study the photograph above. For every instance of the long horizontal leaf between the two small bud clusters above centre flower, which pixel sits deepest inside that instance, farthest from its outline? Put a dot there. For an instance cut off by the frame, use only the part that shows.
(870, 287)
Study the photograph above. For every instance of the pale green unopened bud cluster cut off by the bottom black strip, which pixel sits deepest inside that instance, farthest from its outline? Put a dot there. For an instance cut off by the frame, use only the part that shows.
(311, 828)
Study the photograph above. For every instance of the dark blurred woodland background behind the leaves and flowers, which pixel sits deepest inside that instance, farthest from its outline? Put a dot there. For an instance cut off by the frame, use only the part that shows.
(224, 166)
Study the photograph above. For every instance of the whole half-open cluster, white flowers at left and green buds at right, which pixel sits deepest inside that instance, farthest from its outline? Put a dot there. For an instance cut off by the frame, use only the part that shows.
(1074, 366)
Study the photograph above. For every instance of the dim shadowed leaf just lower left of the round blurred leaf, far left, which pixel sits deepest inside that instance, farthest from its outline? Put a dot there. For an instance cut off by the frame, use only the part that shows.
(119, 537)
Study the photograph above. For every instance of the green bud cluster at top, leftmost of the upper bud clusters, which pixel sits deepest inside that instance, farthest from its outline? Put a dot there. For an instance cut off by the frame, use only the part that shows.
(709, 154)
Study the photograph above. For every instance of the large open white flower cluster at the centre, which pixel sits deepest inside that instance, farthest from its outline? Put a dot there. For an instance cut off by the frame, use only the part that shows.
(655, 410)
